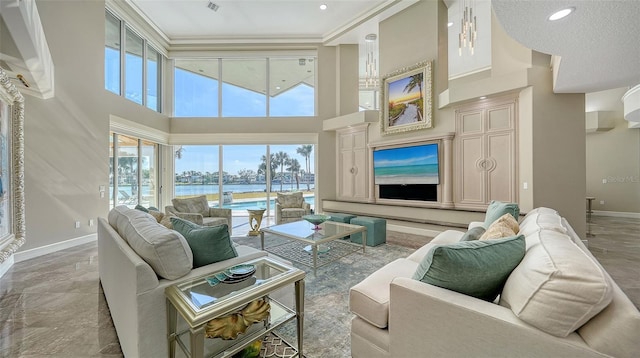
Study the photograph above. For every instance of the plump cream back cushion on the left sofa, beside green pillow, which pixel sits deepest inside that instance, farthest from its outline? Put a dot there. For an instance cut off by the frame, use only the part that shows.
(165, 250)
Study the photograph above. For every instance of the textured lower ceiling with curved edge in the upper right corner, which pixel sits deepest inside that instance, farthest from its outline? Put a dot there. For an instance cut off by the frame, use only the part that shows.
(598, 43)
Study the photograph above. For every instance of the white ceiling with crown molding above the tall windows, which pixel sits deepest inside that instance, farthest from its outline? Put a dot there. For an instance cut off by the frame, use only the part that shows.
(260, 21)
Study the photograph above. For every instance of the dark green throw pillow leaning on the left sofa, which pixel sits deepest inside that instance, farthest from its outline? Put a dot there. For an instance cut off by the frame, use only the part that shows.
(208, 244)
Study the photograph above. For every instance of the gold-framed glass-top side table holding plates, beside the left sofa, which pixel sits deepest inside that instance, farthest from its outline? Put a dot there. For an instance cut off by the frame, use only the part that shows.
(203, 299)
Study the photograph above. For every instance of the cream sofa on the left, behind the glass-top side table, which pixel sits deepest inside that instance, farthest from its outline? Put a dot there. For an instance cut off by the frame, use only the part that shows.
(134, 292)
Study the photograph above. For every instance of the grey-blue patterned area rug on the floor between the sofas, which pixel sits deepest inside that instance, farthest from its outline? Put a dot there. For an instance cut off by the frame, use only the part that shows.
(327, 320)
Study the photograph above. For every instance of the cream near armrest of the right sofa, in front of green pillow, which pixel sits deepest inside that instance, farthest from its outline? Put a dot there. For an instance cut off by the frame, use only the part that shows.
(446, 323)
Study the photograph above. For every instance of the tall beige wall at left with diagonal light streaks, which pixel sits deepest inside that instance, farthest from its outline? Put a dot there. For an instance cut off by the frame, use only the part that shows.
(66, 137)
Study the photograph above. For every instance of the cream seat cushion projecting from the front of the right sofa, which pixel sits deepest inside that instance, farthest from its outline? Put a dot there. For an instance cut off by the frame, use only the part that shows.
(369, 299)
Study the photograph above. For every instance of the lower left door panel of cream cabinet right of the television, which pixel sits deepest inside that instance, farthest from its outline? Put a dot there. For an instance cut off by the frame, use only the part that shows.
(471, 175)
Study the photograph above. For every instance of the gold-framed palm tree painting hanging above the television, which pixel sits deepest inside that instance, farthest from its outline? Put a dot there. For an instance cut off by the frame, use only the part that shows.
(407, 99)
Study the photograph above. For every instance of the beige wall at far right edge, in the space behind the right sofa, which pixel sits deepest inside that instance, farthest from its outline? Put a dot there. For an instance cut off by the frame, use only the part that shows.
(613, 156)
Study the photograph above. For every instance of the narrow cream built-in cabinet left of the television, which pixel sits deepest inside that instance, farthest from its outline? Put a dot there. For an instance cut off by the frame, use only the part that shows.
(353, 164)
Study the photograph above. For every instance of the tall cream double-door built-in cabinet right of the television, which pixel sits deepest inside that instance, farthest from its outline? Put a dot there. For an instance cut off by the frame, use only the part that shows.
(486, 153)
